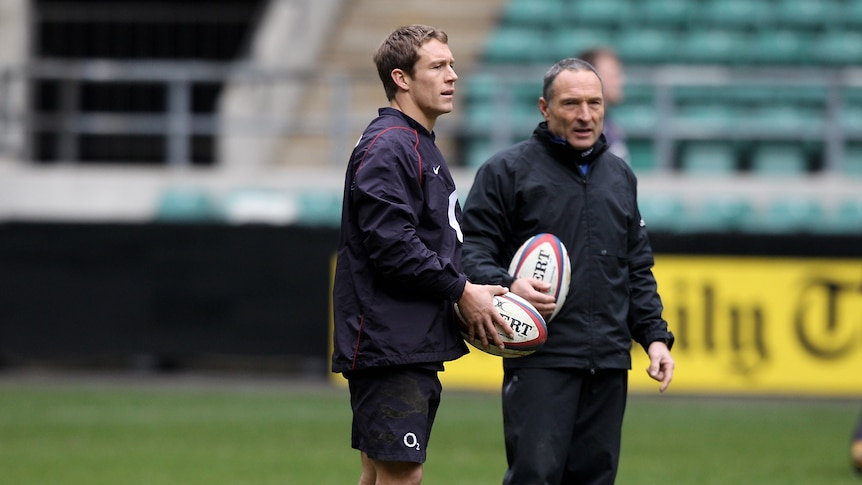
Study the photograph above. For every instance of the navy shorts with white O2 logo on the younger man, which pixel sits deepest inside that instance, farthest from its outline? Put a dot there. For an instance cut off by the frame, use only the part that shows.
(393, 411)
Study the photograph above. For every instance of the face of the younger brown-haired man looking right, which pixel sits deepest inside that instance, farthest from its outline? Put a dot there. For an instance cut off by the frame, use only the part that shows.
(432, 85)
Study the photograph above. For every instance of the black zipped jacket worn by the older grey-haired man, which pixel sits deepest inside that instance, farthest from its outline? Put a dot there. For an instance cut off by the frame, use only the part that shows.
(537, 186)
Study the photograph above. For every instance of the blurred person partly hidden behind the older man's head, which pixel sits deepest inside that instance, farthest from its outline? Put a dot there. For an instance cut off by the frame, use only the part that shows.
(610, 68)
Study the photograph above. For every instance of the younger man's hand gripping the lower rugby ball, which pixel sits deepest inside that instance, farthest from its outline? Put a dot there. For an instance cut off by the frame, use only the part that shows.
(482, 318)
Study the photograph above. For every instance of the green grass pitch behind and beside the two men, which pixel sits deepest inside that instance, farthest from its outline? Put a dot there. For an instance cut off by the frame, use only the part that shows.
(70, 434)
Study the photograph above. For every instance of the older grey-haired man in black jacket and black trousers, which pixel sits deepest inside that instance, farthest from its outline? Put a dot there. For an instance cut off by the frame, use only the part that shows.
(563, 405)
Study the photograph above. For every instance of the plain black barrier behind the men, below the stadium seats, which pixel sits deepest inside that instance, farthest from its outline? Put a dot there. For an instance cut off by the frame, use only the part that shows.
(180, 292)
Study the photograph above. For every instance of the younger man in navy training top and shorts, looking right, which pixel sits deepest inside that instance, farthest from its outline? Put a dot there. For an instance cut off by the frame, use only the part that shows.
(398, 271)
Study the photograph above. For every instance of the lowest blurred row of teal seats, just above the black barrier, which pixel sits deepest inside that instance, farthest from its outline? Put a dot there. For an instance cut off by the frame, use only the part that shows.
(665, 212)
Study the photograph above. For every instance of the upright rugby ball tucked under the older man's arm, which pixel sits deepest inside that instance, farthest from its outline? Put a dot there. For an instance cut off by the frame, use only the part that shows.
(544, 257)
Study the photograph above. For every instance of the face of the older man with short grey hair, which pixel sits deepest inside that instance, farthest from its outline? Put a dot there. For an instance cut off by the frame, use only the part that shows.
(576, 110)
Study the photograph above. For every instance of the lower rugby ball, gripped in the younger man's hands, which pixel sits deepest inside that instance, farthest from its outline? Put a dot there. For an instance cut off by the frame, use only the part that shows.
(530, 329)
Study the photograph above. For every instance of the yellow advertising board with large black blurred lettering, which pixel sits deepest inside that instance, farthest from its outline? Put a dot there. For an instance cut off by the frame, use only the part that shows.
(743, 326)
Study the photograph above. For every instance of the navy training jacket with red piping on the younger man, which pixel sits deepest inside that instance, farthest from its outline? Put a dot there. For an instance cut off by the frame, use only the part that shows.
(399, 259)
